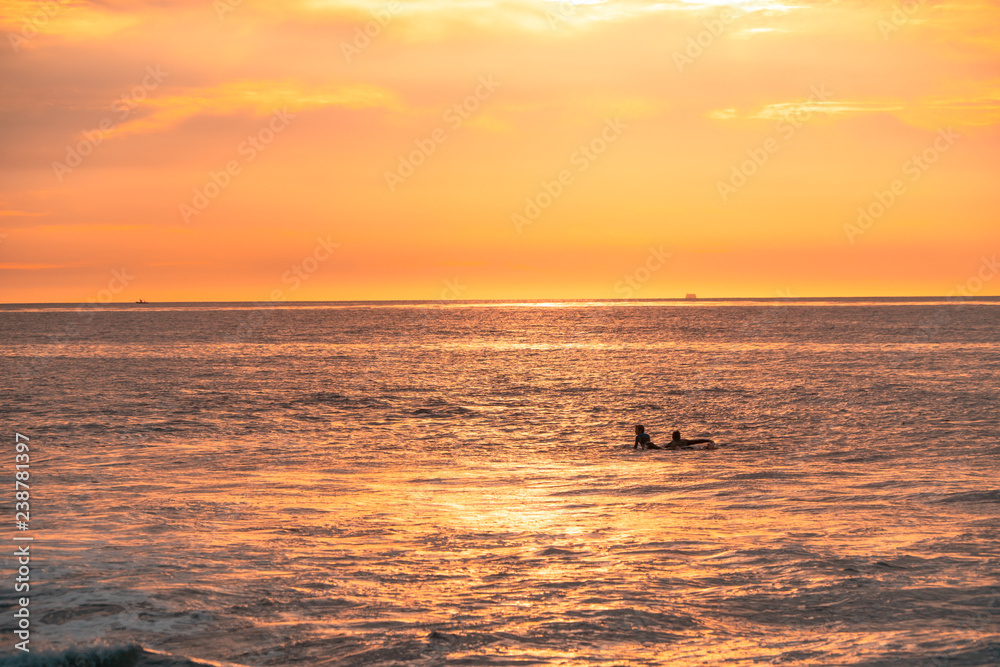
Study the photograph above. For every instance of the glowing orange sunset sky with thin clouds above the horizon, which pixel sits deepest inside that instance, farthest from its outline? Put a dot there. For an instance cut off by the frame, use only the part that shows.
(254, 150)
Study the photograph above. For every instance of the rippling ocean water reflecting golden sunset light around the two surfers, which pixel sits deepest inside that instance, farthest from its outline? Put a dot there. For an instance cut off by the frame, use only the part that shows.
(454, 483)
